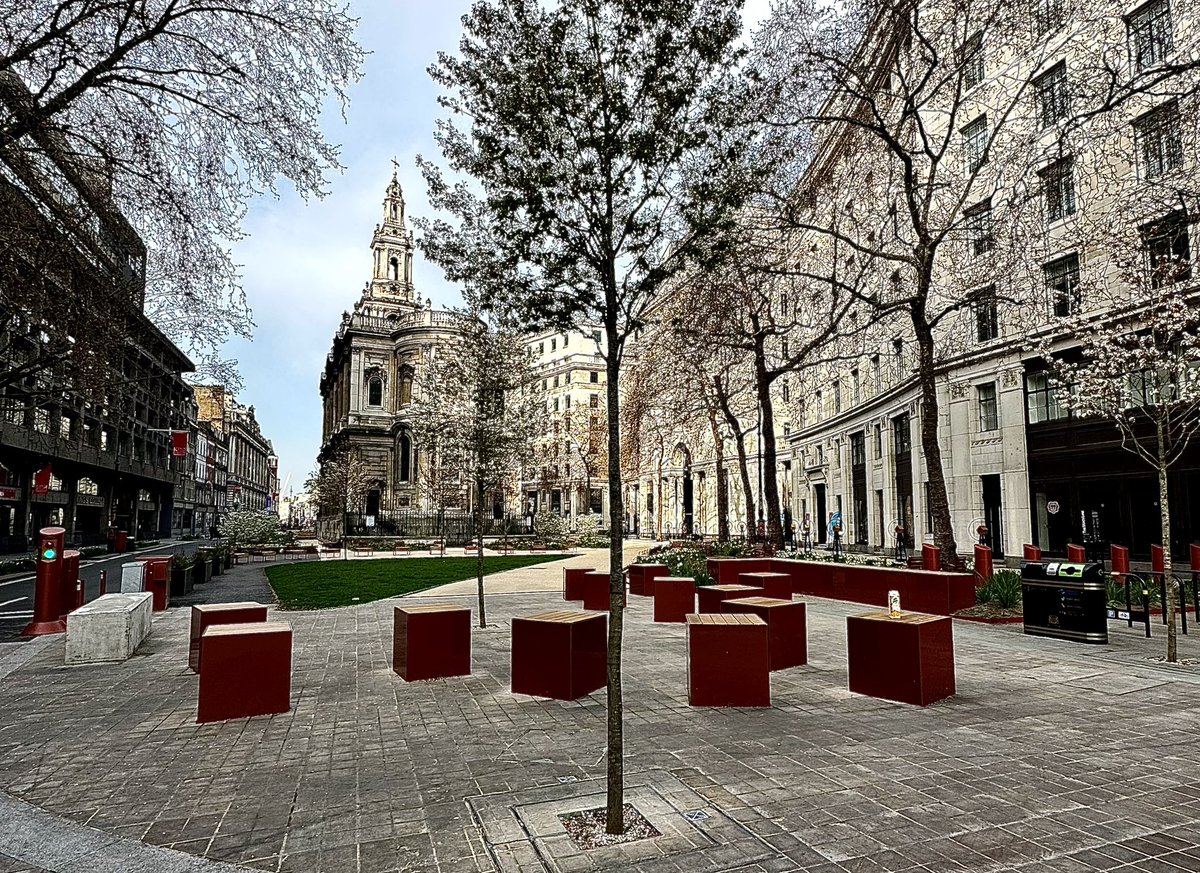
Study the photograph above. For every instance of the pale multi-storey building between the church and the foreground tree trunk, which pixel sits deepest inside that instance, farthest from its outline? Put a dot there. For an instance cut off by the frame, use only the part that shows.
(571, 469)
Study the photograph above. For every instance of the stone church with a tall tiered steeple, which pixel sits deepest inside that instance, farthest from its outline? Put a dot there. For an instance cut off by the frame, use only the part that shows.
(379, 350)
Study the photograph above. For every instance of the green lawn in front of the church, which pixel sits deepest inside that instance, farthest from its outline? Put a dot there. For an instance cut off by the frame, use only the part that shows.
(323, 585)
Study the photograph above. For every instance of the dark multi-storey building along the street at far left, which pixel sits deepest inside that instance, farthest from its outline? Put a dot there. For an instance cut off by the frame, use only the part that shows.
(86, 426)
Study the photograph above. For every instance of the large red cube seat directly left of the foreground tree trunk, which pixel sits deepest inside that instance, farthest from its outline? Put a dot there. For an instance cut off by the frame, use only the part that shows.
(561, 654)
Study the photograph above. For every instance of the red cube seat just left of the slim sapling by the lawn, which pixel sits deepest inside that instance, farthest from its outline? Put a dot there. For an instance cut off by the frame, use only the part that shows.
(431, 642)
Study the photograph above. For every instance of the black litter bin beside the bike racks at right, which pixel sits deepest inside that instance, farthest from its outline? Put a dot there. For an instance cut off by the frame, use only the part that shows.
(1066, 601)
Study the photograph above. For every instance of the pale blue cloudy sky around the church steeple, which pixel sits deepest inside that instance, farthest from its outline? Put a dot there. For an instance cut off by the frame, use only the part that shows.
(305, 263)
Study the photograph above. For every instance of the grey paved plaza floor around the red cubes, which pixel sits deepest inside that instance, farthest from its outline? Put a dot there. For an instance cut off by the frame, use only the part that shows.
(1053, 757)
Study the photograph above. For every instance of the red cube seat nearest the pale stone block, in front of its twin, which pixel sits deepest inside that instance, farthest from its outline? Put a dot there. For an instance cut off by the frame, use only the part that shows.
(245, 671)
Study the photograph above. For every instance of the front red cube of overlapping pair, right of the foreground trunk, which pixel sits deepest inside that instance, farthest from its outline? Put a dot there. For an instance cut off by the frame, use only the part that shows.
(728, 661)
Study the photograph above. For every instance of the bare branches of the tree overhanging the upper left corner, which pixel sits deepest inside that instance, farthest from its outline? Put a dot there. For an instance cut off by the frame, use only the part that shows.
(178, 113)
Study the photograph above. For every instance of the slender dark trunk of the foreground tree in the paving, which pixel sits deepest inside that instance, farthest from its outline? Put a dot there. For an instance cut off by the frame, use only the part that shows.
(616, 800)
